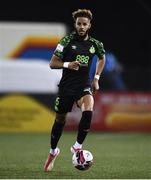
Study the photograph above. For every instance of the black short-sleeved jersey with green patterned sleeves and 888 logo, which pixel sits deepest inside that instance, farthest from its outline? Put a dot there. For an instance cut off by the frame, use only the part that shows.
(71, 48)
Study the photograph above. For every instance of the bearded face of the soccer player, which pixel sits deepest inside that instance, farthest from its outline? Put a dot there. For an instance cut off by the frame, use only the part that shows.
(82, 25)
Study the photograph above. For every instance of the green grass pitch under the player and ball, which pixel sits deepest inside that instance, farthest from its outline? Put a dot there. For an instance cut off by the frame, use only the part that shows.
(116, 156)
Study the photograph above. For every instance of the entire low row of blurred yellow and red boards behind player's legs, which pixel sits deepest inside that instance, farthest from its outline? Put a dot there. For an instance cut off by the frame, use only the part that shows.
(113, 112)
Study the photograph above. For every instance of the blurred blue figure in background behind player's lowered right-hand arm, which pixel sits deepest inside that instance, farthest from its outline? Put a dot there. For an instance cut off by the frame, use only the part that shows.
(111, 79)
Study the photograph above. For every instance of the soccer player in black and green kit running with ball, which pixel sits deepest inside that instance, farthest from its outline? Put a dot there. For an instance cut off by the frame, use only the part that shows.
(74, 55)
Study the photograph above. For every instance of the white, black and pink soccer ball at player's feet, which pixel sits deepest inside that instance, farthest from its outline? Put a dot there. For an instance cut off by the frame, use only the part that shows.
(82, 159)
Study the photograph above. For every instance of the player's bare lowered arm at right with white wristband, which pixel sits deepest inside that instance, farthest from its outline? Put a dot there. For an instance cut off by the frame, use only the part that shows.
(99, 69)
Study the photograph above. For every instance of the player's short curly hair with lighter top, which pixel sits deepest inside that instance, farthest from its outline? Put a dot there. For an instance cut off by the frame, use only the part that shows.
(82, 13)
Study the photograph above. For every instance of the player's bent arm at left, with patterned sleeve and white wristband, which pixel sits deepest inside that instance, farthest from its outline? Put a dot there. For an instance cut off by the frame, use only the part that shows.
(57, 62)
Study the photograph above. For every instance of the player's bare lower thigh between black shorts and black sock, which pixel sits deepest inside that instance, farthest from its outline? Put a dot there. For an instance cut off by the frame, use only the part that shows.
(86, 103)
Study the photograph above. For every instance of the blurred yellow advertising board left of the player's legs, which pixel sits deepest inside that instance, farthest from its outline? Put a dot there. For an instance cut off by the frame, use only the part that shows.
(24, 113)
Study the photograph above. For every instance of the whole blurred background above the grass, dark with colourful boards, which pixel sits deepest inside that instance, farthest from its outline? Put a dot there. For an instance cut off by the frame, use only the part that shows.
(29, 33)
